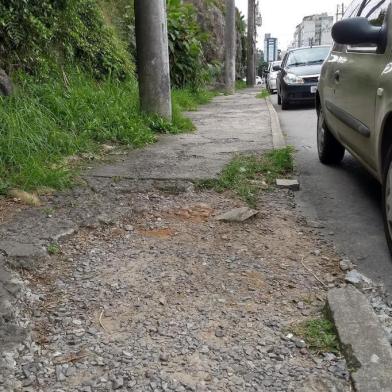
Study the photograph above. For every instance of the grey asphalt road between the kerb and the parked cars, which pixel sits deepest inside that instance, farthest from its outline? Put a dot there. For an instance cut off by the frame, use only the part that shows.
(345, 198)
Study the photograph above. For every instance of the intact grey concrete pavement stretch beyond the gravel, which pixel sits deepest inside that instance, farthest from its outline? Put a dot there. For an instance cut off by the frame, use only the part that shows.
(221, 132)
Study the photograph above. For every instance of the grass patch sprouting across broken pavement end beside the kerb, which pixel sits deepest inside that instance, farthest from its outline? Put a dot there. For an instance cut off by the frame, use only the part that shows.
(247, 175)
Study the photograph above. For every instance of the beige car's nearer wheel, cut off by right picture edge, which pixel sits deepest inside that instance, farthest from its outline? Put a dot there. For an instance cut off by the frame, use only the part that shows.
(387, 198)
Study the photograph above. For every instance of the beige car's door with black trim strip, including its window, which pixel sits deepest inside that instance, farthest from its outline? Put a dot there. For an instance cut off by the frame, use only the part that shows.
(356, 80)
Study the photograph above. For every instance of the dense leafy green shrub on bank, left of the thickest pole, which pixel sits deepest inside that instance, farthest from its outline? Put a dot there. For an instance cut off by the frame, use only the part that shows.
(37, 35)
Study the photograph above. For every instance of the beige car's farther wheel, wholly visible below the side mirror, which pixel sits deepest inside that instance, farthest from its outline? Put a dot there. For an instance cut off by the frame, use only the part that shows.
(330, 151)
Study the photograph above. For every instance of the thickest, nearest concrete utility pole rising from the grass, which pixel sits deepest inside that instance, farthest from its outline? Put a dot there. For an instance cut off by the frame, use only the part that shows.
(153, 57)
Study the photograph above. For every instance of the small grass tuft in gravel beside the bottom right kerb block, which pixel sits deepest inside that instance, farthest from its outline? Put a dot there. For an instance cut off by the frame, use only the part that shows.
(318, 334)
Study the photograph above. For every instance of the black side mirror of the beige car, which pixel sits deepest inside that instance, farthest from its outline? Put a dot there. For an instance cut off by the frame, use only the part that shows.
(356, 31)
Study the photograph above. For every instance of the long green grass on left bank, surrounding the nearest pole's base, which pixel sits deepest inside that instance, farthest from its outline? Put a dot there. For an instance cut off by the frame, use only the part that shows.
(70, 114)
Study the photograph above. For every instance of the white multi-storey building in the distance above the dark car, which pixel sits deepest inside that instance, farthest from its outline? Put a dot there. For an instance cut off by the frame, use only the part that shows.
(314, 30)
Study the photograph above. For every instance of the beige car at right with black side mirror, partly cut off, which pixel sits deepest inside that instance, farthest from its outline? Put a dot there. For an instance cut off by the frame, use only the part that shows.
(354, 101)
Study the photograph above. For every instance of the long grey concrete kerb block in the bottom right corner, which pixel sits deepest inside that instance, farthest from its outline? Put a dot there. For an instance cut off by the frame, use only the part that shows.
(364, 343)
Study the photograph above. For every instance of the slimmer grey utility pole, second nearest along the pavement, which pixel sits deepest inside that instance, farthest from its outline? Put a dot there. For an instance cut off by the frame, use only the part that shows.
(230, 47)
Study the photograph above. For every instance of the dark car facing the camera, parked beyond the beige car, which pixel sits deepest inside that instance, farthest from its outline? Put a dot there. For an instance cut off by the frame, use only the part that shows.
(297, 81)
